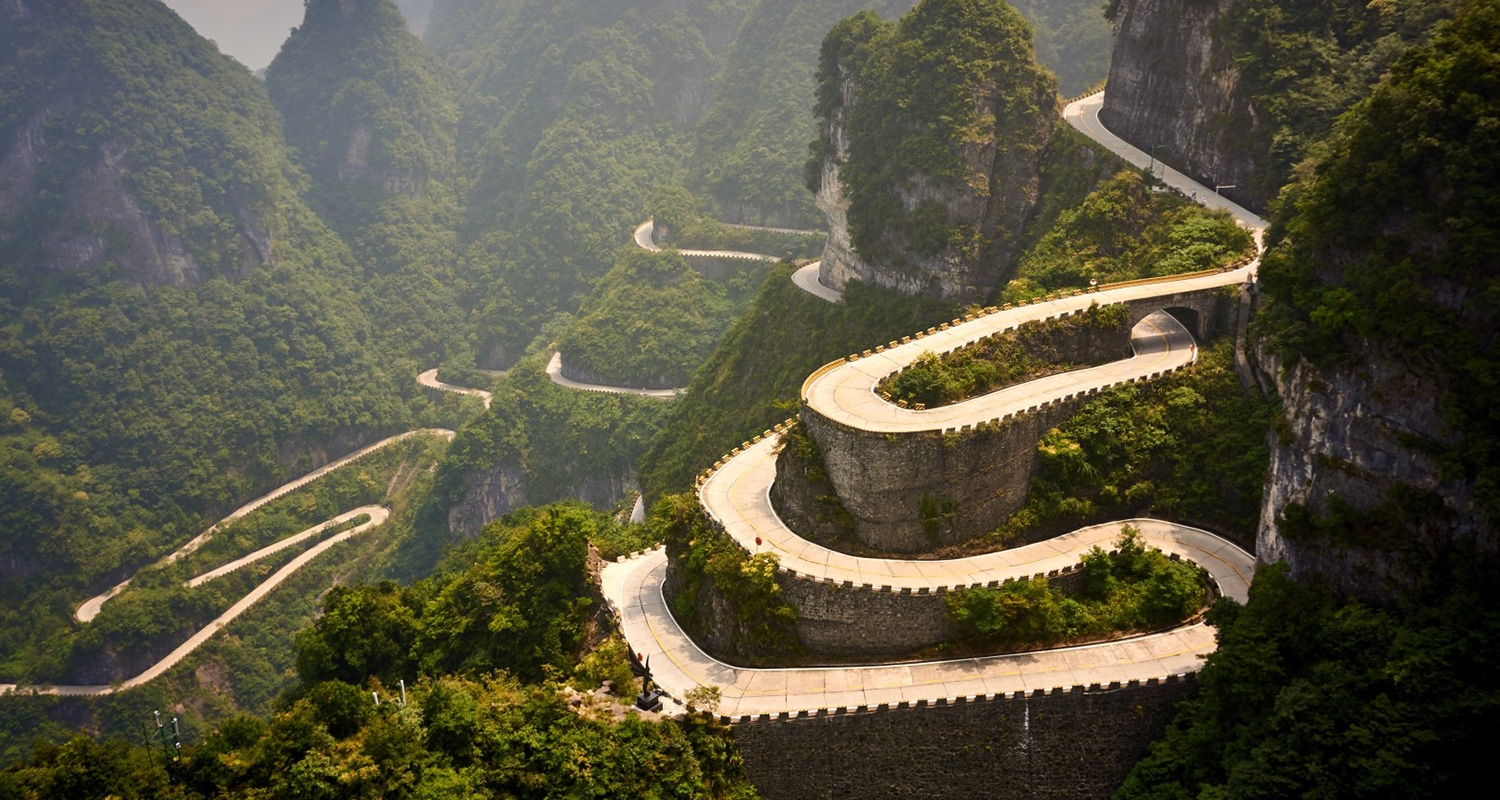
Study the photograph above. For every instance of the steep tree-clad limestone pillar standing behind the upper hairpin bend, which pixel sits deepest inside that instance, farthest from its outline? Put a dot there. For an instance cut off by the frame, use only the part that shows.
(928, 164)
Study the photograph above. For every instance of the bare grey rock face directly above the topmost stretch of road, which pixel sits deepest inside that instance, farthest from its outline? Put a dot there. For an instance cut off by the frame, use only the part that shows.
(1174, 88)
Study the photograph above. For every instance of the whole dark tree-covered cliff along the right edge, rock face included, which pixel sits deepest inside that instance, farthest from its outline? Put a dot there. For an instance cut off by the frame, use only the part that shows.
(1381, 329)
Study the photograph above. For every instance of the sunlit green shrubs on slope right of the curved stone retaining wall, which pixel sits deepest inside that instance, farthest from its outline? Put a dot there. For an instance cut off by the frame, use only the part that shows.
(1142, 448)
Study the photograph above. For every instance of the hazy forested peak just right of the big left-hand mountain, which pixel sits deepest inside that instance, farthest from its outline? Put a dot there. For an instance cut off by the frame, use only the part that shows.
(373, 118)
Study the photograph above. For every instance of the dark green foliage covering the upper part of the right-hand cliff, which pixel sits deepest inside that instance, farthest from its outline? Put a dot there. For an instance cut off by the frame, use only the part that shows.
(1387, 245)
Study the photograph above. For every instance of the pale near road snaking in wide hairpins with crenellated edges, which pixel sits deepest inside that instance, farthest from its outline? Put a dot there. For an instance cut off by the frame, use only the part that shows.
(737, 498)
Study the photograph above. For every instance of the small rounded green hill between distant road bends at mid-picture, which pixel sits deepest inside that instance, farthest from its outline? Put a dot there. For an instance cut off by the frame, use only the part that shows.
(650, 323)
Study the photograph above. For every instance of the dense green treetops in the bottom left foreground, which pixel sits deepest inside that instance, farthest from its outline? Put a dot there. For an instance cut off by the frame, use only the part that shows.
(515, 600)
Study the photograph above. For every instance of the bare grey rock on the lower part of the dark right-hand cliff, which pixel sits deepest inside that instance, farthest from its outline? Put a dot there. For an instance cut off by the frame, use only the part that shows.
(1364, 441)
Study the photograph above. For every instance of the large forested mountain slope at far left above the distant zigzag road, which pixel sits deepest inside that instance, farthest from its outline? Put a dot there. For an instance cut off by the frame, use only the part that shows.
(181, 332)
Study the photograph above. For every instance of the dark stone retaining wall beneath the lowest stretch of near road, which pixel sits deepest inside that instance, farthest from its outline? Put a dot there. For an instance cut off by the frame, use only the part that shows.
(1076, 744)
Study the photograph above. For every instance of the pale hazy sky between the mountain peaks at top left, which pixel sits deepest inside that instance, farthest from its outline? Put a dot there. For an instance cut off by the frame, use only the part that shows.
(254, 31)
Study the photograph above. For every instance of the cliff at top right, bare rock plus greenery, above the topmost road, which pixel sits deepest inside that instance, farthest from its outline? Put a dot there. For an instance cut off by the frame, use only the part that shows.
(1235, 92)
